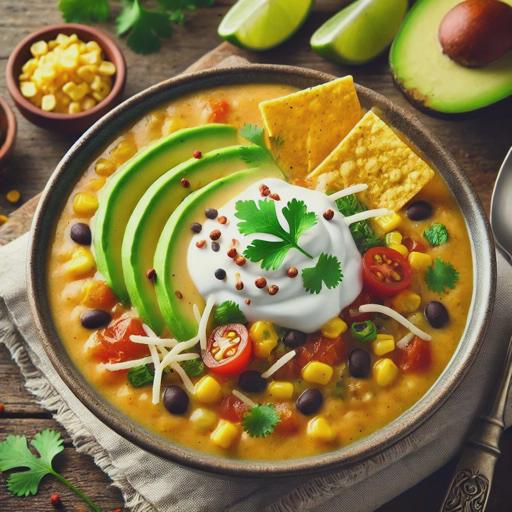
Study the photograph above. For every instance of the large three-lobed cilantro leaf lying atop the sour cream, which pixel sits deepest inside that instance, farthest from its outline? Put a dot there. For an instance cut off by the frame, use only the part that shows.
(261, 217)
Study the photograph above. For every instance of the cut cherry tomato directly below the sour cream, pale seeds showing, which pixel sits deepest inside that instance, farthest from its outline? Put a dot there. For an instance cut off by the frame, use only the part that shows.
(229, 350)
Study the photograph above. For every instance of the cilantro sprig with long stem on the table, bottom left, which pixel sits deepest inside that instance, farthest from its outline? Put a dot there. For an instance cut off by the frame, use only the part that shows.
(15, 454)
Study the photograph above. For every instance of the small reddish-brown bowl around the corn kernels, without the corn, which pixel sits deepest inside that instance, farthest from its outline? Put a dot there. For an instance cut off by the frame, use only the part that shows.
(56, 121)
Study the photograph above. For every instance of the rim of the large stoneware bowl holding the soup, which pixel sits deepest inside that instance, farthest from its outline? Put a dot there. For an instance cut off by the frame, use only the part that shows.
(484, 279)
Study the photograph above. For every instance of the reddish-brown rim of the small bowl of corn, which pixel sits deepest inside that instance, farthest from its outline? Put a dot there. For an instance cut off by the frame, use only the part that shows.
(109, 47)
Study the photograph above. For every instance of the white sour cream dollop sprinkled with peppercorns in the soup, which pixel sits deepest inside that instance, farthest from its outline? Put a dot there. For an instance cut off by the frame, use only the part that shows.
(292, 306)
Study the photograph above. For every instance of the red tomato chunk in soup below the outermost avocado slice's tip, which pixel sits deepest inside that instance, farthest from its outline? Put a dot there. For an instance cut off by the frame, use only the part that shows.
(112, 344)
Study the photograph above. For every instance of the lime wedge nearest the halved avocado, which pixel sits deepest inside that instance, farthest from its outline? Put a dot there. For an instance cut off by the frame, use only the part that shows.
(360, 31)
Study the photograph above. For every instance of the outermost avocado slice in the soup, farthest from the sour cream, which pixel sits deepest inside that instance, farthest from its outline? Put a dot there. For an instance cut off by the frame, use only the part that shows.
(124, 189)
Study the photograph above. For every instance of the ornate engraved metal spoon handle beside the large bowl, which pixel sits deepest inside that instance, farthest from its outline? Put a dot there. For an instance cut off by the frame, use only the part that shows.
(471, 483)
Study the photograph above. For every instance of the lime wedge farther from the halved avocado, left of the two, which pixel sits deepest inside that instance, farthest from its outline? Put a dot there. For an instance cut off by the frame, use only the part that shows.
(263, 24)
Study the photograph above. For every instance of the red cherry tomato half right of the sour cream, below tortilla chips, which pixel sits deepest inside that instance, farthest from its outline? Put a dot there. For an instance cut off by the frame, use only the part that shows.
(385, 271)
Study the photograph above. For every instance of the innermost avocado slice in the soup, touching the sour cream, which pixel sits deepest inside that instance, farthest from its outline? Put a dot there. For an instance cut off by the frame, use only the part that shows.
(175, 290)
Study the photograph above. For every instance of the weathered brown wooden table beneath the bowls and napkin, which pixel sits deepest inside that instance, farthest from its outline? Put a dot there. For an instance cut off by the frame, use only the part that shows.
(479, 142)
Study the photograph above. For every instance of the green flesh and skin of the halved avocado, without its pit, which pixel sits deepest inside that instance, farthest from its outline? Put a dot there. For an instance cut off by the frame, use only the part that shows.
(430, 78)
